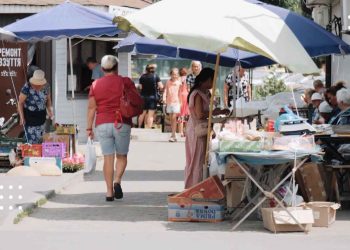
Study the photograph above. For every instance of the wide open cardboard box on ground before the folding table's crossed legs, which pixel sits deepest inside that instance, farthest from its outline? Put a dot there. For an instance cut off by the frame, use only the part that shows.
(278, 220)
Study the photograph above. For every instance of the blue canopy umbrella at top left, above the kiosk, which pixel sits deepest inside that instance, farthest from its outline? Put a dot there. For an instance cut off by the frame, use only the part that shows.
(64, 20)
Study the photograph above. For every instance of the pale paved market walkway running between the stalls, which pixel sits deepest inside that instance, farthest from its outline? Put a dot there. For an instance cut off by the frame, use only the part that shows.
(79, 217)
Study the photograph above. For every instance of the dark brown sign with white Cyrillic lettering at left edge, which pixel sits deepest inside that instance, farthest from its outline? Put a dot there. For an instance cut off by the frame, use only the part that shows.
(13, 73)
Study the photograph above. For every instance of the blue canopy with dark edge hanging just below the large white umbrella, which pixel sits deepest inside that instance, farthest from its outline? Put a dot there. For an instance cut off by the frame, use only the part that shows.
(144, 45)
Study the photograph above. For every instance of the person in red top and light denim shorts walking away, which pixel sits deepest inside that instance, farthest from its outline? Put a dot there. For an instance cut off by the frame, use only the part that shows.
(113, 132)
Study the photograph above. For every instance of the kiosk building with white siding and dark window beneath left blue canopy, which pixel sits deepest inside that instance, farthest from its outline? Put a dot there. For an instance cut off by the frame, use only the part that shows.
(53, 57)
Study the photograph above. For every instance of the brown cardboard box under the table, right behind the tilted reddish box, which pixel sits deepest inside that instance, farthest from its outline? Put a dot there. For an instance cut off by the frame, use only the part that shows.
(234, 193)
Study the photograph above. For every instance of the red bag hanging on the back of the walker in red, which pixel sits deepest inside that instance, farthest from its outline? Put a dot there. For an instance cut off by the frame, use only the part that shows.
(131, 102)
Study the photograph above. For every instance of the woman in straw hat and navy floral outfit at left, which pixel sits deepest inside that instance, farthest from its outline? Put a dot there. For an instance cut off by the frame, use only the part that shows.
(34, 105)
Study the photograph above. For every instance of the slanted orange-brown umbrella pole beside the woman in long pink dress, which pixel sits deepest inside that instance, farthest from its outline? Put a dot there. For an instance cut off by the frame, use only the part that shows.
(205, 167)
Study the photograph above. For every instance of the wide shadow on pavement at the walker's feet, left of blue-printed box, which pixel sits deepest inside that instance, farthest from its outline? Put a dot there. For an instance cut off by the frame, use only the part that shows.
(92, 206)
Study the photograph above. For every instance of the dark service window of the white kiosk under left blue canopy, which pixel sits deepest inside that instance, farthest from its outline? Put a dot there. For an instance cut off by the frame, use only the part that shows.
(82, 50)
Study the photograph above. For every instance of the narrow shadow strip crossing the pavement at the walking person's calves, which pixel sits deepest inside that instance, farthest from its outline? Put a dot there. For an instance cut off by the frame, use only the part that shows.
(142, 175)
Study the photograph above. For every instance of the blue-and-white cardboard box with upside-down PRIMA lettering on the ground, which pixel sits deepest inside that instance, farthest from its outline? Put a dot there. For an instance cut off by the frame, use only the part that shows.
(182, 209)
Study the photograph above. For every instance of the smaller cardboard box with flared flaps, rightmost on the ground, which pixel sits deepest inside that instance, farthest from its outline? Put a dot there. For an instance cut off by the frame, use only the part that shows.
(324, 213)
